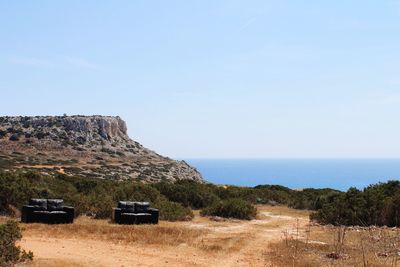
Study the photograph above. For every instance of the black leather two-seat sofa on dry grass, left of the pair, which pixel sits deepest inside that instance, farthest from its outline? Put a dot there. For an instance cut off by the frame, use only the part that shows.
(50, 211)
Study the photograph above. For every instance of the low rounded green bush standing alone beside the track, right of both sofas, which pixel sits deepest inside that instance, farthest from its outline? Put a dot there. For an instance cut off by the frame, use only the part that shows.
(231, 208)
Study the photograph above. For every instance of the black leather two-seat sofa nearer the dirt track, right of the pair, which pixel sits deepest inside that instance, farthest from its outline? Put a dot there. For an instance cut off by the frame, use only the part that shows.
(135, 213)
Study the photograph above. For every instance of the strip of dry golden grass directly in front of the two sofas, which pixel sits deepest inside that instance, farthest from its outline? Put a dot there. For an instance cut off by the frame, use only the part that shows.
(85, 228)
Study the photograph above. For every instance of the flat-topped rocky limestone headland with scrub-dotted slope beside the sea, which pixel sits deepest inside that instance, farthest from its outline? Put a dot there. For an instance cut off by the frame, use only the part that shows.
(95, 146)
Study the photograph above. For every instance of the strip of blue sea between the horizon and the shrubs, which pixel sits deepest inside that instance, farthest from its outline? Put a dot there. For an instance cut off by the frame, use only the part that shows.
(299, 173)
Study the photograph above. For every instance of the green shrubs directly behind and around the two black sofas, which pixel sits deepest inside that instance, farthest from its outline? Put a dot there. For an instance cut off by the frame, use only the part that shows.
(92, 197)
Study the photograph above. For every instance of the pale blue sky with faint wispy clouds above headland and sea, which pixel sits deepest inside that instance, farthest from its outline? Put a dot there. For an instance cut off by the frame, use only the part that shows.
(213, 79)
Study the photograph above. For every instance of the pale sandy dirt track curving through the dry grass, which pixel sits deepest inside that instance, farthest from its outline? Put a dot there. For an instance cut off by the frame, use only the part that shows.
(228, 243)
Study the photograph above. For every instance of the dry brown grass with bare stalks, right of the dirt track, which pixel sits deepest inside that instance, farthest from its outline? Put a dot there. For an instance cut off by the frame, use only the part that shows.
(336, 246)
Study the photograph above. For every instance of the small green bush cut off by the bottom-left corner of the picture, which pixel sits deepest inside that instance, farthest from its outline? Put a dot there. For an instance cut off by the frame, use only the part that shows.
(9, 252)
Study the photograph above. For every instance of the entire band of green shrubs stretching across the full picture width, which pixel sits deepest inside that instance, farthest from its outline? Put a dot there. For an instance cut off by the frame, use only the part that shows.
(375, 205)
